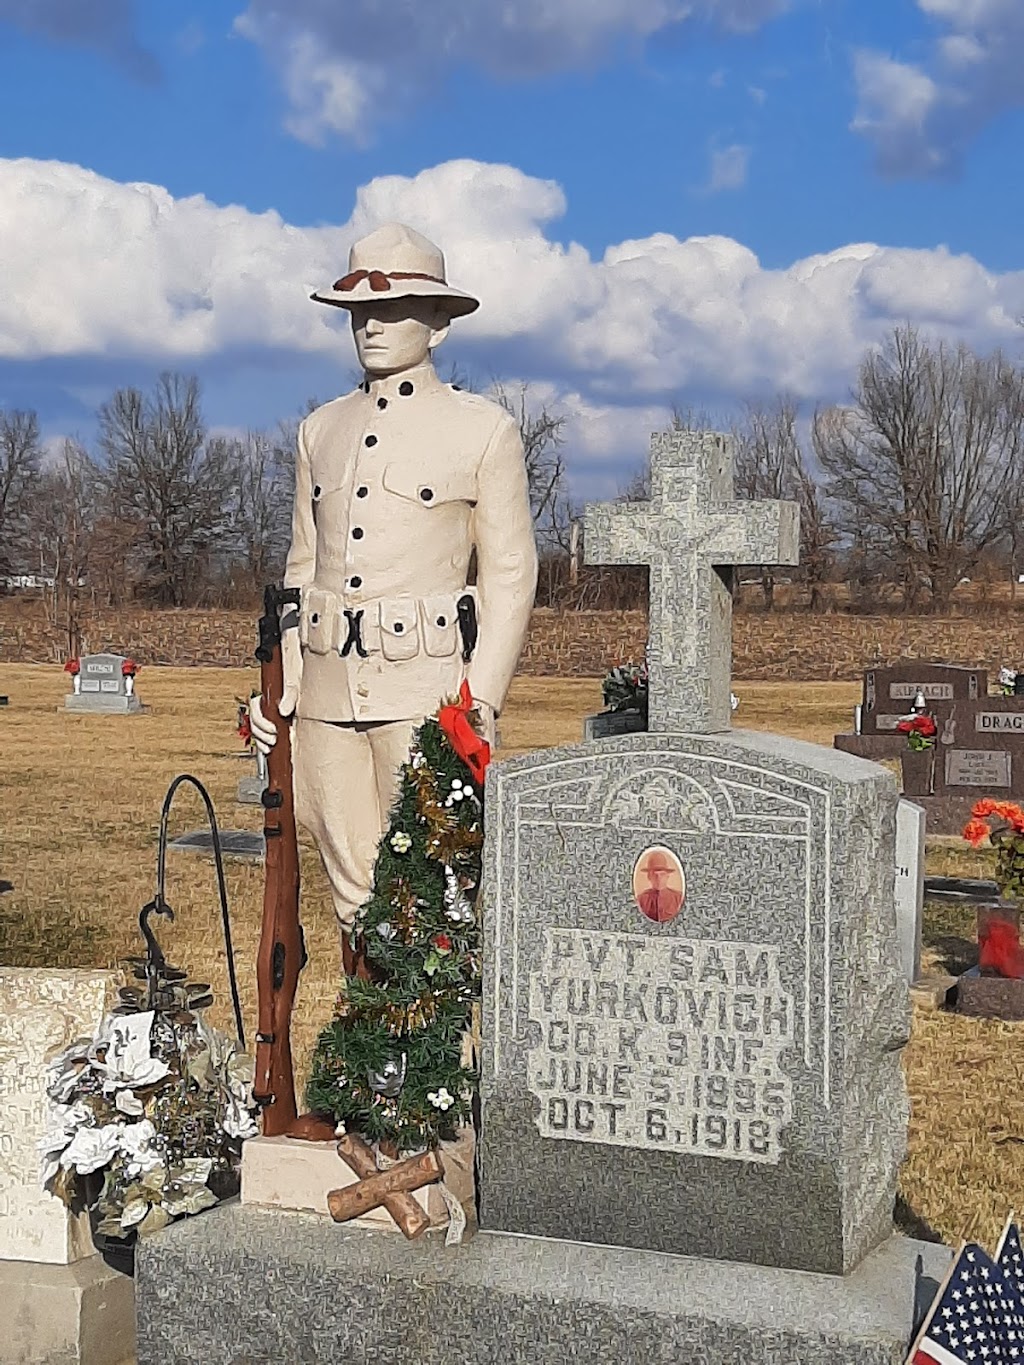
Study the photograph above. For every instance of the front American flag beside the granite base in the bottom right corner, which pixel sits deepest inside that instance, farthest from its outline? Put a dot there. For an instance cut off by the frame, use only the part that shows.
(978, 1318)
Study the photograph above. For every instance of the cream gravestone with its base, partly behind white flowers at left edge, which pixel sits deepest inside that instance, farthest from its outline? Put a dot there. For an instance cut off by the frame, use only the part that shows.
(54, 1310)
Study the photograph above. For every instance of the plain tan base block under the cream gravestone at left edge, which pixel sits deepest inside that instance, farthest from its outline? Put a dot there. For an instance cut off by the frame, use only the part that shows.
(66, 1315)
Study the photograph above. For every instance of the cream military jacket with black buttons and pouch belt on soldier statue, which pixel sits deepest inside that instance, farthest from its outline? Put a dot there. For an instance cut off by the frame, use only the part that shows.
(395, 485)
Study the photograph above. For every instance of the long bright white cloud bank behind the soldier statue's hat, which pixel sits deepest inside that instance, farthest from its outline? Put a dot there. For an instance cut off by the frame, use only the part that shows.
(126, 274)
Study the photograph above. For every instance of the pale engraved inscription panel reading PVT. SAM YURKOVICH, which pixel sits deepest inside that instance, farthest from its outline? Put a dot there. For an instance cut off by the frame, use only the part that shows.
(664, 1045)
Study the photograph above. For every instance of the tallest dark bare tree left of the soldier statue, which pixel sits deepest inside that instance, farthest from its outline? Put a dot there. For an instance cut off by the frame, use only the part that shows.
(170, 483)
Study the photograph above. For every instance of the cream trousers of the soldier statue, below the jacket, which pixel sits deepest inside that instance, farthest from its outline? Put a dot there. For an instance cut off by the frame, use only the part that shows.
(346, 781)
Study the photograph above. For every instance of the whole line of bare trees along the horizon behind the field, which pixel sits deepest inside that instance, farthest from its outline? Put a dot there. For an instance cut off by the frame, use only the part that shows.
(907, 489)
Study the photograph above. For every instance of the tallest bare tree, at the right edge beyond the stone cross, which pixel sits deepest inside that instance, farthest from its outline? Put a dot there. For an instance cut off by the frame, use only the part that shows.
(922, 461)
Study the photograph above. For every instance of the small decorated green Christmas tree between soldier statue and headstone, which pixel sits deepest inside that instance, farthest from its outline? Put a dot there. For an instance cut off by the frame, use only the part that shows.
(391, 1064)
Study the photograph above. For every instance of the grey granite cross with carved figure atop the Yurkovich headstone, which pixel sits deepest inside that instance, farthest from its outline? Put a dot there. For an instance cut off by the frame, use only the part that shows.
(692, 534)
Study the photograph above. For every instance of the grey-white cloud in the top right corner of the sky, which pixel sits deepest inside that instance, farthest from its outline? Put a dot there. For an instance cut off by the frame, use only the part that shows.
(924, 117)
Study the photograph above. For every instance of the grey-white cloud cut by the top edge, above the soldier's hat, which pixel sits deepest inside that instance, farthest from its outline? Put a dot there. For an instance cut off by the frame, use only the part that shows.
(349, 68)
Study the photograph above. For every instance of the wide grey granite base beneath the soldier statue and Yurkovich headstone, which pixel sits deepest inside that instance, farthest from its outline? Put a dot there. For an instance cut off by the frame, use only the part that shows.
(244, 1287)
